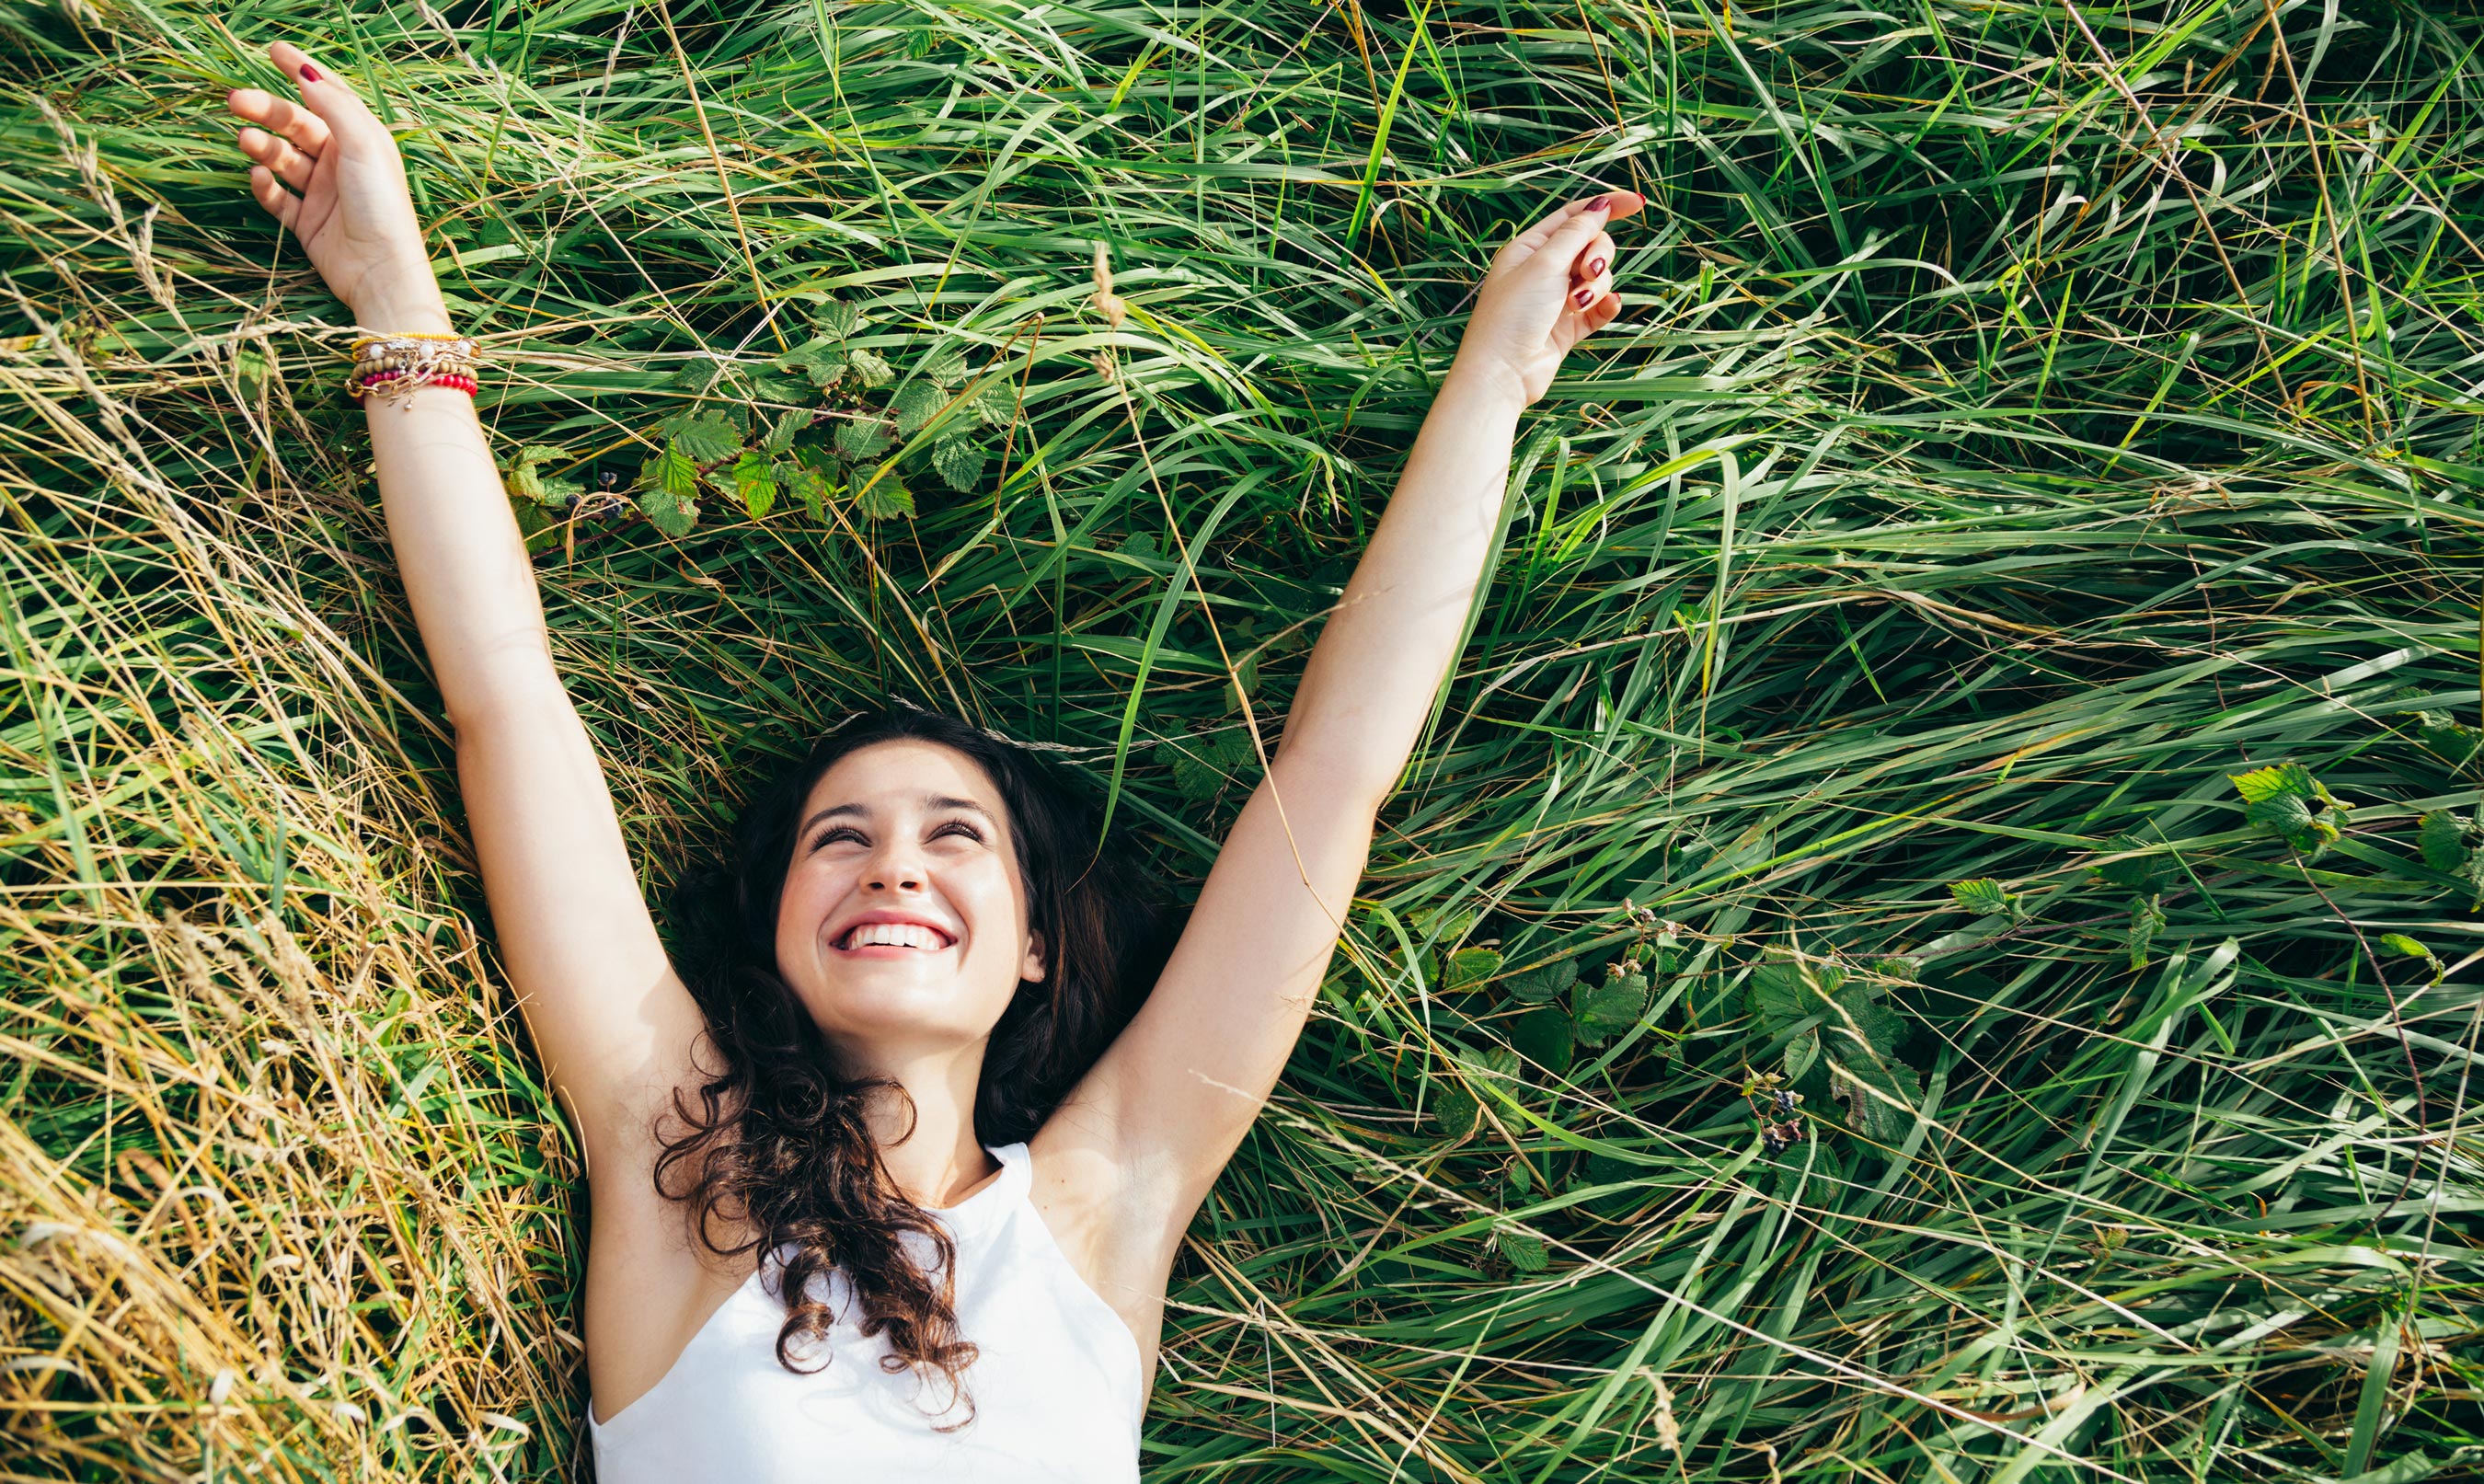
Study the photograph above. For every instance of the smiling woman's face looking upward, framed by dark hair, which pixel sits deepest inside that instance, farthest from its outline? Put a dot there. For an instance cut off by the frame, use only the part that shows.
(903, 923)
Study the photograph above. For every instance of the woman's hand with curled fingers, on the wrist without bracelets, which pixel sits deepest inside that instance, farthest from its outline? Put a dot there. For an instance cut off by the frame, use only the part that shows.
(1549, 290)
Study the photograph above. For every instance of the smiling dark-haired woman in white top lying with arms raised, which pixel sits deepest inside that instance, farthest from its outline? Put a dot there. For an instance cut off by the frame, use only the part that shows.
(958, 1110)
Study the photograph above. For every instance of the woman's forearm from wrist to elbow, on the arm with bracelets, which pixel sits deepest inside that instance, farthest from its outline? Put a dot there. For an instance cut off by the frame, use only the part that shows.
(458, 548)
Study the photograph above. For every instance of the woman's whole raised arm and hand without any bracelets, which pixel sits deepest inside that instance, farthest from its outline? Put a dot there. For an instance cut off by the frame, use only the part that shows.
(1171, 1100)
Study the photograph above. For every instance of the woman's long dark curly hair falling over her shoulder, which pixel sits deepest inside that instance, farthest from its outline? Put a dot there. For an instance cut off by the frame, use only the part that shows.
(779, 1137)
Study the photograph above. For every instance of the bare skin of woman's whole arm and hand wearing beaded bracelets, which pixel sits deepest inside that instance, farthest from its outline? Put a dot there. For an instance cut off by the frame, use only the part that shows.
(607, 1013)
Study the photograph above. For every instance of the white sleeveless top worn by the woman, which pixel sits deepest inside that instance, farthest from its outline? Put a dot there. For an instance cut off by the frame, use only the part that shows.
(1057, 1386)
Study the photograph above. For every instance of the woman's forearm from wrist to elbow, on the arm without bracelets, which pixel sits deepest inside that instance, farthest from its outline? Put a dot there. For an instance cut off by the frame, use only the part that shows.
(1395, 633)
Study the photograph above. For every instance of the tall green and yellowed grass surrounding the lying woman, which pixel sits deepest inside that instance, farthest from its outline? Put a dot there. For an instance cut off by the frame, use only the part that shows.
(1983, 648)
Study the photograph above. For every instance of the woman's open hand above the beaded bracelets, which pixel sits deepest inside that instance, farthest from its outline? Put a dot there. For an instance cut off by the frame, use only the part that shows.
(351, 210)
